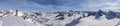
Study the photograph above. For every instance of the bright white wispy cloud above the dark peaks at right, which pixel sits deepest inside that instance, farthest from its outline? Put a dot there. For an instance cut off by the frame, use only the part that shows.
(105, 5)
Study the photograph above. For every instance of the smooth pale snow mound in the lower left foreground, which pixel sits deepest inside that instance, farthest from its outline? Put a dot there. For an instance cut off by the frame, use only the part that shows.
(15, 21)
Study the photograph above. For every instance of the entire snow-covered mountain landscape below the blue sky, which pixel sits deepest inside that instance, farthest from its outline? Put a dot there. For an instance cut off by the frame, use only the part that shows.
(67, 18)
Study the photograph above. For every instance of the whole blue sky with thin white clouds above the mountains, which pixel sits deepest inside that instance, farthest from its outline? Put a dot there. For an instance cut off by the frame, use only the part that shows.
(61, 5)
